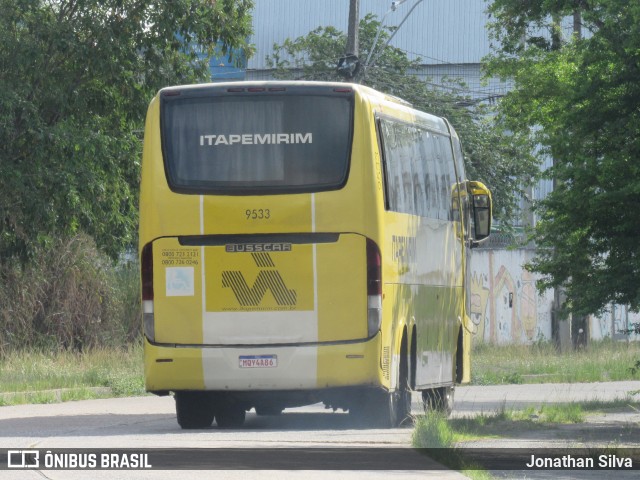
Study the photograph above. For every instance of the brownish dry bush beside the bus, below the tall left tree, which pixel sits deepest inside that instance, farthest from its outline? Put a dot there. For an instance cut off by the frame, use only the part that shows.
(69, 296)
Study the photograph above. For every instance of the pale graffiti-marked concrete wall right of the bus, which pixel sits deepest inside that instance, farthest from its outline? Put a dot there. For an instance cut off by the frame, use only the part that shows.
(507, 308)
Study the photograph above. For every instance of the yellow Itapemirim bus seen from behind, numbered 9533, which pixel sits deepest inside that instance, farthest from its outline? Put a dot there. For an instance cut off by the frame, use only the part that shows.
(303, 242)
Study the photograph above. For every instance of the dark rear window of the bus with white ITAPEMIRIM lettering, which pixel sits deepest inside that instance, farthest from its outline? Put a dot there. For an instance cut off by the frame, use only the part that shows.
(256, 144)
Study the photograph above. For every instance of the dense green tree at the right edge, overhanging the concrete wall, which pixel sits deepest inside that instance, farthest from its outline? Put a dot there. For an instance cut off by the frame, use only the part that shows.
(580, 96)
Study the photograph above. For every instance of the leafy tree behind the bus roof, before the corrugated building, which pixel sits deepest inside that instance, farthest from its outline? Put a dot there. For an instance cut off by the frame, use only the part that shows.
(498, 159)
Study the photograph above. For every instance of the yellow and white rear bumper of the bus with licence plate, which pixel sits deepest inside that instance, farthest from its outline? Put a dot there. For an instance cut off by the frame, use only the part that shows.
(262, 368)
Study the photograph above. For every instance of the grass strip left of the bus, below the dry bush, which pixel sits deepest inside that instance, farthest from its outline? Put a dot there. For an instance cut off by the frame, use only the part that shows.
(46, 377)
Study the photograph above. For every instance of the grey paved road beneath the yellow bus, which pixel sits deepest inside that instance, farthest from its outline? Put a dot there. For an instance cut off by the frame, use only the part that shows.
(149, 422)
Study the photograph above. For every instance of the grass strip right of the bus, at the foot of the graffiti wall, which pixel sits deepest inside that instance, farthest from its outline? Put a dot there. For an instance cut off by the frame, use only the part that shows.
(541, 363)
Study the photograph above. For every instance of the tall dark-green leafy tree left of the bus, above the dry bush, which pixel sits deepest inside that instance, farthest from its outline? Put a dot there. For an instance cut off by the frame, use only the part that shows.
(76, 77)
